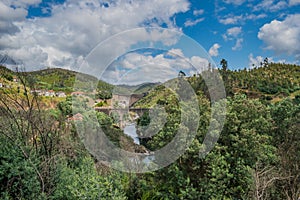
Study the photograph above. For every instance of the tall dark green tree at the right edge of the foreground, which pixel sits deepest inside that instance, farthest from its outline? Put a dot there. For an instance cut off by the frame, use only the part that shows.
(286, 115)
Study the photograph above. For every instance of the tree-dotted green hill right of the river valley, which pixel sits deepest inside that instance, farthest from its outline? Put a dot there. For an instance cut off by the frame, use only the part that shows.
(270, 83)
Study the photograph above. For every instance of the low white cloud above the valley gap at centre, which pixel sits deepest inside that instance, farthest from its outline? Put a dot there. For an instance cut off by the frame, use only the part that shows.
(136, 67)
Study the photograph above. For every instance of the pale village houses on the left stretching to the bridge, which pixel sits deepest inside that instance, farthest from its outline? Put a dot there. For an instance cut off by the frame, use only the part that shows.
(118, 105)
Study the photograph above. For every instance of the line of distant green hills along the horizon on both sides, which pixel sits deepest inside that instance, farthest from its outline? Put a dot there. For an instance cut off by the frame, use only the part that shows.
(271, 82)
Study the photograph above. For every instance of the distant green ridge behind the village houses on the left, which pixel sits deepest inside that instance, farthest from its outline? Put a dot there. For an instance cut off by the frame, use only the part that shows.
(59, 79)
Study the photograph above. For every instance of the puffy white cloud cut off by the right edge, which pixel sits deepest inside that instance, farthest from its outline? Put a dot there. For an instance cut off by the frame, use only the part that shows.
(282, 36)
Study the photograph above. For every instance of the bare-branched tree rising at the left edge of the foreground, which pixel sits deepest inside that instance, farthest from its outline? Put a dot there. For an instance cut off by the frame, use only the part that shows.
(32, 136)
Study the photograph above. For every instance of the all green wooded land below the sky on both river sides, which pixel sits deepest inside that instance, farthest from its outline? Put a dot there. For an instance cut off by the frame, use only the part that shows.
(255, 157)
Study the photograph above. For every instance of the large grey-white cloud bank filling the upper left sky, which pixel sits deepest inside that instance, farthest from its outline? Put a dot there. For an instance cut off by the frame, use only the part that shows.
(75, 27)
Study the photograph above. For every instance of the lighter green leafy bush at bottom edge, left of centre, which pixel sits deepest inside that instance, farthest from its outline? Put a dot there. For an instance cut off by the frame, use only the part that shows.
(84, 182)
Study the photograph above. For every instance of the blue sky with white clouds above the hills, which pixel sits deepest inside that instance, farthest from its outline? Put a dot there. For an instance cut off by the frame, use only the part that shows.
(63, 33)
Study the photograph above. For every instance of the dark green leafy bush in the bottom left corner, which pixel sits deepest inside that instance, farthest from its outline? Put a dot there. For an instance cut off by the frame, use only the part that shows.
(18, 178)
